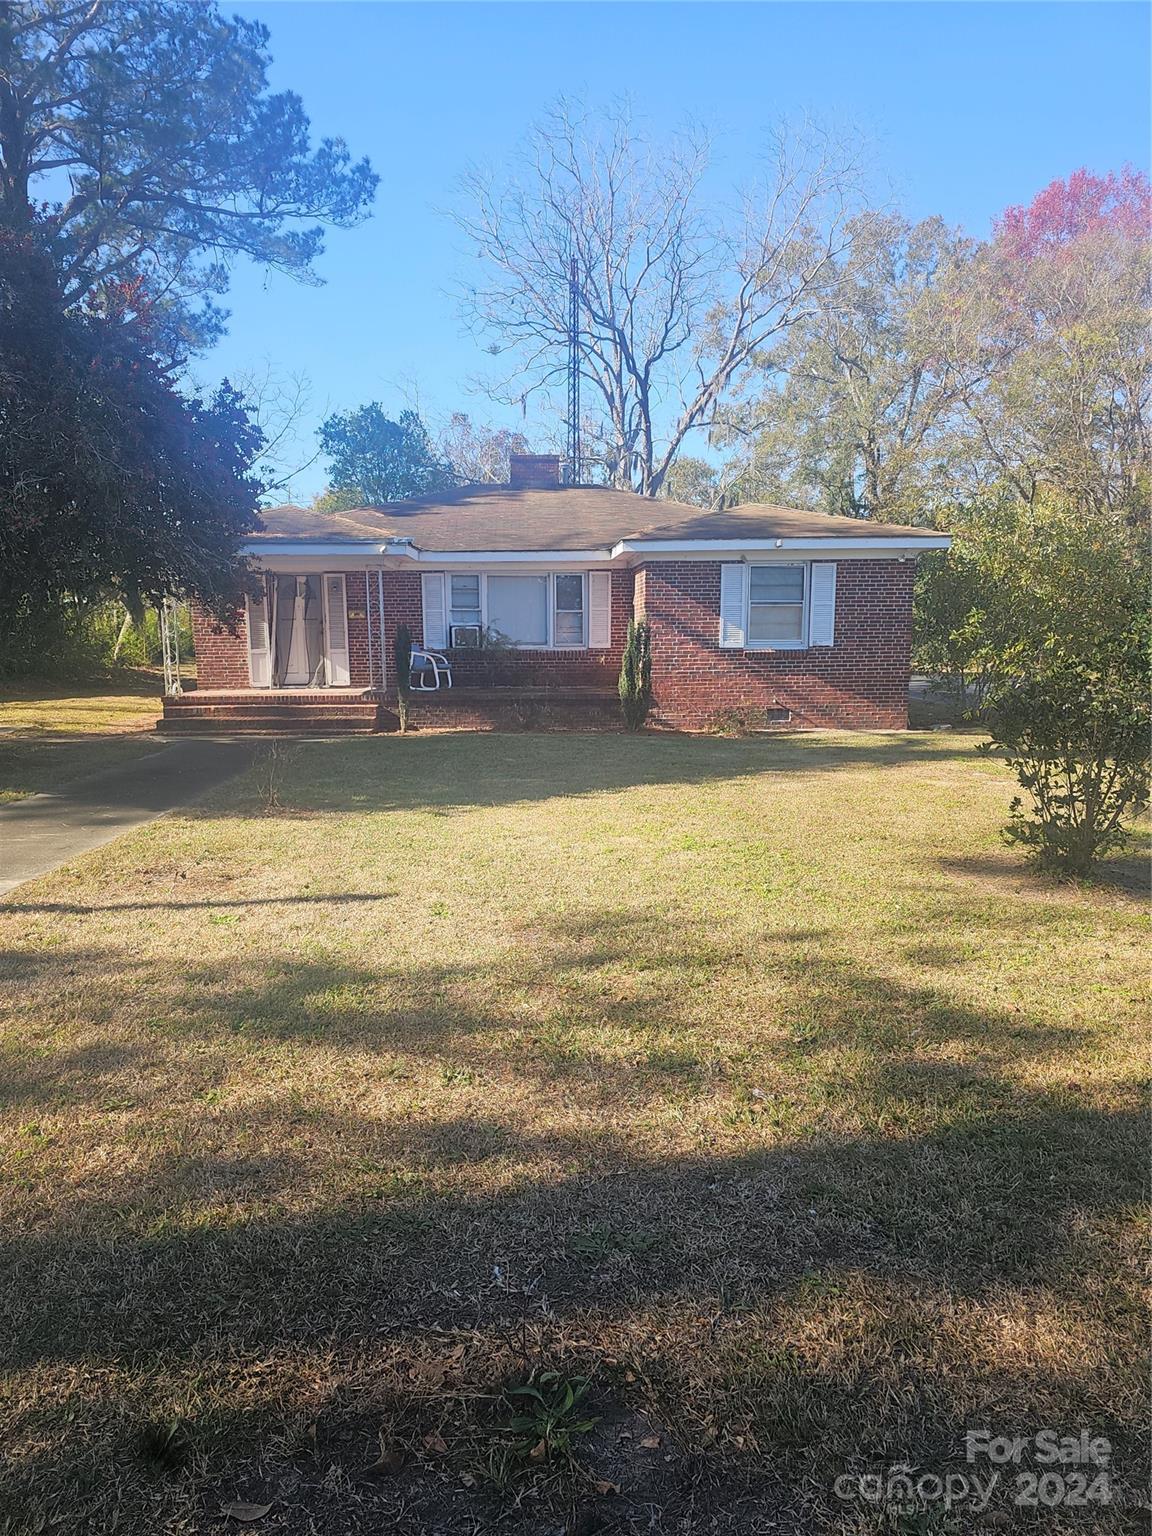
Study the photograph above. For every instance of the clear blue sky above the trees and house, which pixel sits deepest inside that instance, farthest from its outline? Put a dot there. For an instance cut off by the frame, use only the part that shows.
(968, 108)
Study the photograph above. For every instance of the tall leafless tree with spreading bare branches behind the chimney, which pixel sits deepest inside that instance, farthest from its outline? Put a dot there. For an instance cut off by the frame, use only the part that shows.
(675, 299)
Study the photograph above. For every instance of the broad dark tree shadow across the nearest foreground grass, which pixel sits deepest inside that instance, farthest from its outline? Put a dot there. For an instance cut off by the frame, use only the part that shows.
(769, 1314)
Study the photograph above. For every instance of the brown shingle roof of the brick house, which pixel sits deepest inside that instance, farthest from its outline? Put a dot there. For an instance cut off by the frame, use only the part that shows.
(564, 518)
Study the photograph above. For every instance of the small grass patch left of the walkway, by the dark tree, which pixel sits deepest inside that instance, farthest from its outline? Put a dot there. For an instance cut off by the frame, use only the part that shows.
(53, 733)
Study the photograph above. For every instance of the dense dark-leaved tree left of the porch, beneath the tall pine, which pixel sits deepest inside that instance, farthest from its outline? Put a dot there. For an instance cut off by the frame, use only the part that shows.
(113, 482)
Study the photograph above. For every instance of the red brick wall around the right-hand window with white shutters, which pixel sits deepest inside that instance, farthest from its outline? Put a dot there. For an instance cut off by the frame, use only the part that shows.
(859, 683)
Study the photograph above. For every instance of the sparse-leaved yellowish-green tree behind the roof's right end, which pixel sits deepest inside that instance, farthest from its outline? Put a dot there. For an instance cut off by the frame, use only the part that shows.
(853, 414)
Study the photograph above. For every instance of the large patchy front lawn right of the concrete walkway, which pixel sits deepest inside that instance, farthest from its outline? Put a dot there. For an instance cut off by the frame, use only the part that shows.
(752, 1084)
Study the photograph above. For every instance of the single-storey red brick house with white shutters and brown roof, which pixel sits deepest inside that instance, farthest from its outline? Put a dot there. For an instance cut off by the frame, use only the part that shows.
(528, 591)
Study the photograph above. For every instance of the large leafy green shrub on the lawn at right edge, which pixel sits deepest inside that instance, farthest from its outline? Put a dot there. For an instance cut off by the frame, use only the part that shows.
(1041, 612)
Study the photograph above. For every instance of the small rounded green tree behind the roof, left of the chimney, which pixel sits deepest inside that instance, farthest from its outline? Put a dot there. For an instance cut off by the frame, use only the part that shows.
(376, 460)
